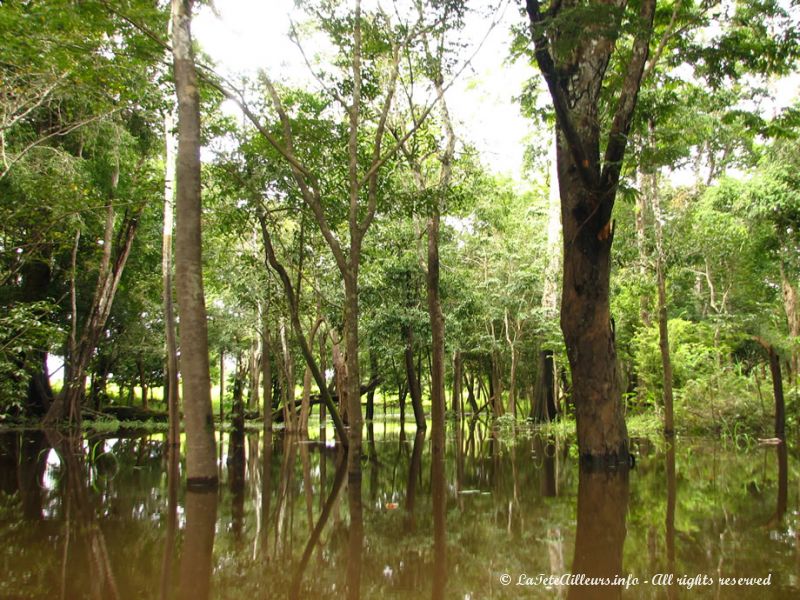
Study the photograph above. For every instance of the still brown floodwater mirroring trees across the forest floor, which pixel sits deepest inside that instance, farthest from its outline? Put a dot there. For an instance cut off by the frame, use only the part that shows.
(507, 514)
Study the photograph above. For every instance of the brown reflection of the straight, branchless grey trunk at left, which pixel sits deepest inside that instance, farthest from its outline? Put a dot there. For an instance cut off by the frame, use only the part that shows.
(198, 545)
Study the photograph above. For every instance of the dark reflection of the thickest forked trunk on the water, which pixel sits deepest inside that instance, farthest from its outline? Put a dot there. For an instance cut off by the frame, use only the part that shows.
(600, 536)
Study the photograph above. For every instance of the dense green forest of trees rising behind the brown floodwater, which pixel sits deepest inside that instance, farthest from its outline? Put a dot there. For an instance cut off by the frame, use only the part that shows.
(360, 251)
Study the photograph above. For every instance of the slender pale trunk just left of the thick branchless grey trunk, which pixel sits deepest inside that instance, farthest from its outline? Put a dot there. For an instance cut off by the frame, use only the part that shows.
(171, 391)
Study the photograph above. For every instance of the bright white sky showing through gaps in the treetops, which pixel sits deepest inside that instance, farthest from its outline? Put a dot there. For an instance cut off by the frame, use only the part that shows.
(247, 35)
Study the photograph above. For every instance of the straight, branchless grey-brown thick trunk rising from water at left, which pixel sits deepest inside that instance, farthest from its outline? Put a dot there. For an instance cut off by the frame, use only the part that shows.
(200, 444)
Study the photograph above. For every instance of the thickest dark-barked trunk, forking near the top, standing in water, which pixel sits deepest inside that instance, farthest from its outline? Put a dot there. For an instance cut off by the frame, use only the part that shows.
(588, 186)
